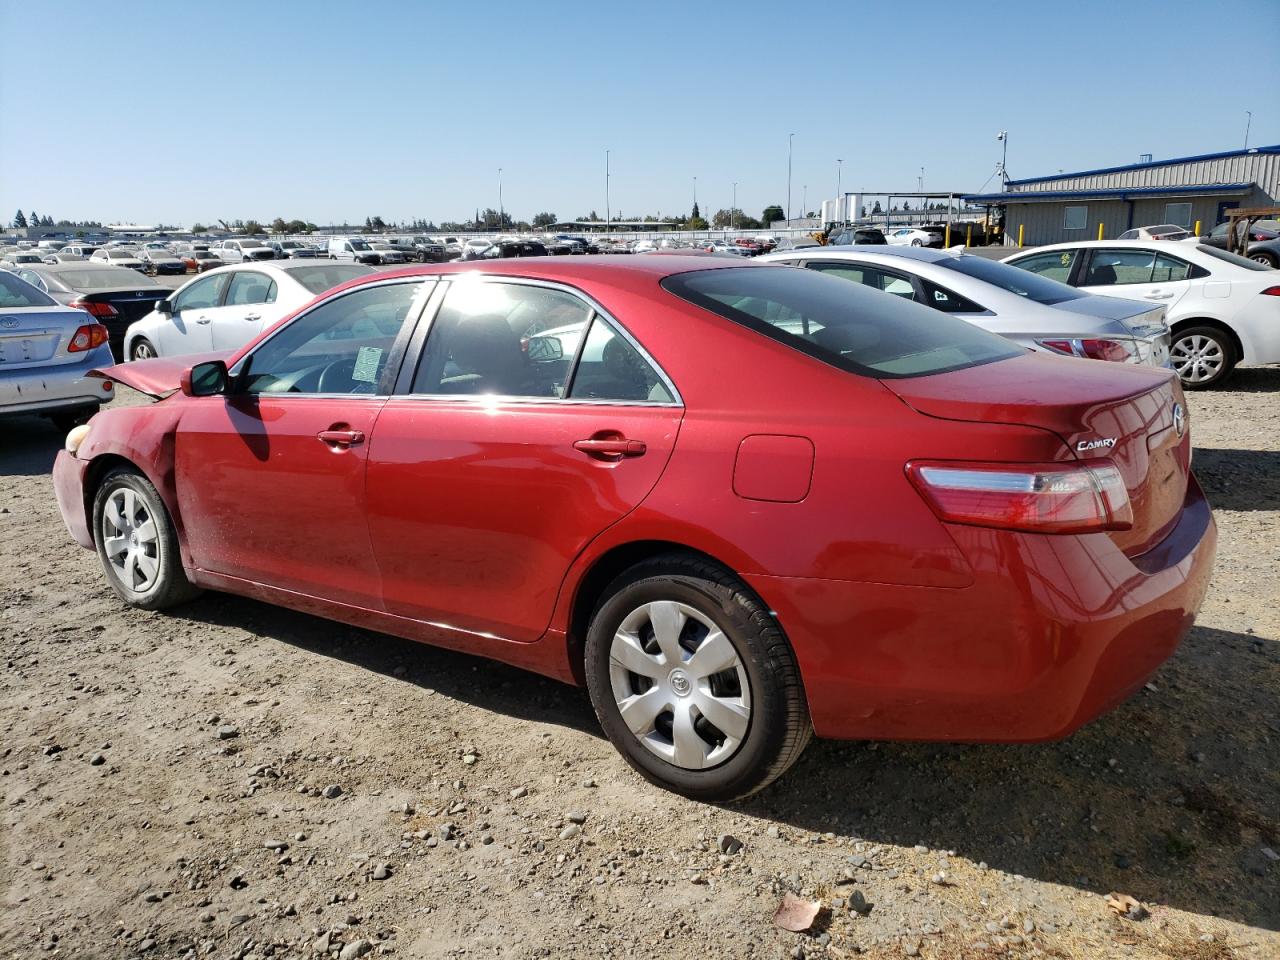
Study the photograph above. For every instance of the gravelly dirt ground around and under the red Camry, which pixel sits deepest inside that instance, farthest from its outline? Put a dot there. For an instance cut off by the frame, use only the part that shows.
(168, 787)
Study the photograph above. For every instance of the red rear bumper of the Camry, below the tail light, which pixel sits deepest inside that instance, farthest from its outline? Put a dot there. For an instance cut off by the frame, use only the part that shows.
(1055, 632)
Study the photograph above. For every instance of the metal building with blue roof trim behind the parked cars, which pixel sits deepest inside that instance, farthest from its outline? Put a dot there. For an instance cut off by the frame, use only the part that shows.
(1183, 191)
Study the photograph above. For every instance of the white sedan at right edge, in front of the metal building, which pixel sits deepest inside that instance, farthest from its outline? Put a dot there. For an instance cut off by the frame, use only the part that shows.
(1223, 309)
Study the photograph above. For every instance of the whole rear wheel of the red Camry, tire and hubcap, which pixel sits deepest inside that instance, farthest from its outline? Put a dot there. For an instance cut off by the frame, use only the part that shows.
(693, 680)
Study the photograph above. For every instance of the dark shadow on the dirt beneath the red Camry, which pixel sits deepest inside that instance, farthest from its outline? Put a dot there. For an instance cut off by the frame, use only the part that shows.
(1178, 819)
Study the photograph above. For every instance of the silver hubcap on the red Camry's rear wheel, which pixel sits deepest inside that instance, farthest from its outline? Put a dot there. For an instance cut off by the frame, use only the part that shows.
(680, 685)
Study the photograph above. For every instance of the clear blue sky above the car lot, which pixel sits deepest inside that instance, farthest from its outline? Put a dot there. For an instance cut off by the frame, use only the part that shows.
(179, 112)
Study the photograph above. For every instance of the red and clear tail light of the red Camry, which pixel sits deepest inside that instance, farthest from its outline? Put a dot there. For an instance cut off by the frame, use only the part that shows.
(1039, 499)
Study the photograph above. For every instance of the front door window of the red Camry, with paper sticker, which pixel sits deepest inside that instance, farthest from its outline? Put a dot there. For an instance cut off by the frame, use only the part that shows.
(340, 348)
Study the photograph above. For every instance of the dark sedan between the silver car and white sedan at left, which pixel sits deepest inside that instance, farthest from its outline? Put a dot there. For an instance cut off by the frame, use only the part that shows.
(115, 296)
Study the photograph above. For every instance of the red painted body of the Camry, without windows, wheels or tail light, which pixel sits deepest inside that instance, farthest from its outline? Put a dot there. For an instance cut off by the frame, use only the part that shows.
(479, 525)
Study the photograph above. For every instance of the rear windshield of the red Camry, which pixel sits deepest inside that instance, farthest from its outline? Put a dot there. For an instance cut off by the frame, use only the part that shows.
(847, 326)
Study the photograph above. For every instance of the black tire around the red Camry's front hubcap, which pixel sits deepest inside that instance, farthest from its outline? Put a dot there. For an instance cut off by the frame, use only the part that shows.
(171, 586)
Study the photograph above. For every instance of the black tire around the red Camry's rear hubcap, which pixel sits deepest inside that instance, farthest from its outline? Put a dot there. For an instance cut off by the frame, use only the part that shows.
(779, 726)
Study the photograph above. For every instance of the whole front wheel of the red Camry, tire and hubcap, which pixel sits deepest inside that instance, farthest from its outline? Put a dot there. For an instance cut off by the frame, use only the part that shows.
(136, 543)
